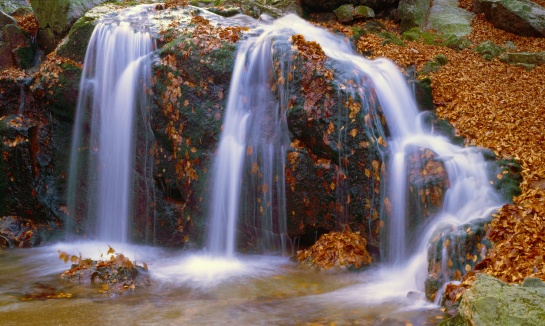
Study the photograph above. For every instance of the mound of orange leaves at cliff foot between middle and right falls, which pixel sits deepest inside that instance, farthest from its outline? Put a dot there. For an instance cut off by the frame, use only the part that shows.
(336, 251)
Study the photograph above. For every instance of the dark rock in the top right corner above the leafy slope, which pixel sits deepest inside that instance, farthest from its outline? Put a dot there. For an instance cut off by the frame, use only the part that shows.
(520, 17)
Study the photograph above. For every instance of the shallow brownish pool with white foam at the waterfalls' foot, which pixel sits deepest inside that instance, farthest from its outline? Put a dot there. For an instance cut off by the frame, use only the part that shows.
(193, 289)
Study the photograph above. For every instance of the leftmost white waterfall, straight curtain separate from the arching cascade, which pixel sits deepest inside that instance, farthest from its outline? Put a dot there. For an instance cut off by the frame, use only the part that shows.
(112, 90)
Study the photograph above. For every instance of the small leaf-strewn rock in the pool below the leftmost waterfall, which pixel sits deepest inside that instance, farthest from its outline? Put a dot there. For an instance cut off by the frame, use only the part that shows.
(118, 274)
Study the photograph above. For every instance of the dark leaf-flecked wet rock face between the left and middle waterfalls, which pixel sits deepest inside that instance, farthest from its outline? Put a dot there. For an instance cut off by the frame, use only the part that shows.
(190, 92)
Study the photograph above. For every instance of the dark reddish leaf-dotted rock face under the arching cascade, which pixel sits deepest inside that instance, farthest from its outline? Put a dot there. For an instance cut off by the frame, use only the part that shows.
(334, 167)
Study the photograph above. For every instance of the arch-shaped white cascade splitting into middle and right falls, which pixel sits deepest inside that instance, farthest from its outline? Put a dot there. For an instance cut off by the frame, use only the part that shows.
(469, 195)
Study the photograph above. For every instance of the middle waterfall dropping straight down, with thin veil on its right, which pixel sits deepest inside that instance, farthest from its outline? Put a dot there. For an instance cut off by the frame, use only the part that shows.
(254, 135)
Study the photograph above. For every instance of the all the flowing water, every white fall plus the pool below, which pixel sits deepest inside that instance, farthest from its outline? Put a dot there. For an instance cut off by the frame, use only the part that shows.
(220, 286)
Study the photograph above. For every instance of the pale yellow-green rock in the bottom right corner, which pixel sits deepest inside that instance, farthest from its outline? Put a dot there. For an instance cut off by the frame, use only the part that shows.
(492, 302)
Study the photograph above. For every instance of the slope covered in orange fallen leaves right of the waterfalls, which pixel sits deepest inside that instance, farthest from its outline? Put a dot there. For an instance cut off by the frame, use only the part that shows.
(498, 106)
